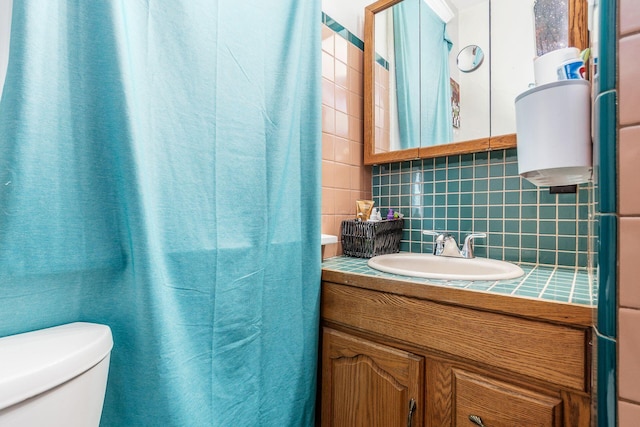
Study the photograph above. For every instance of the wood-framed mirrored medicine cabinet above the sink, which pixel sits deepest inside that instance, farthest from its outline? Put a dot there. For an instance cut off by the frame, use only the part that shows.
(418, 103)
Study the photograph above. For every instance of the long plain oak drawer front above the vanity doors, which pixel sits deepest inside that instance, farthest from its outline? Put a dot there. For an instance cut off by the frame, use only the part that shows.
(553, 353)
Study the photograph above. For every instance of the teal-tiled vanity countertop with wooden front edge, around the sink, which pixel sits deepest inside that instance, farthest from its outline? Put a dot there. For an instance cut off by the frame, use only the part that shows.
(567, 291)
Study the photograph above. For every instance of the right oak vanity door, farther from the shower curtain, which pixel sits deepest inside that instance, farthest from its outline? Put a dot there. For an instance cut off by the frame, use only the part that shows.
(497, 404)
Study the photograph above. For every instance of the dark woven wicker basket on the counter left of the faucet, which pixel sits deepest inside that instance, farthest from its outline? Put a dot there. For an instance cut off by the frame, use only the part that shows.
(363, 239)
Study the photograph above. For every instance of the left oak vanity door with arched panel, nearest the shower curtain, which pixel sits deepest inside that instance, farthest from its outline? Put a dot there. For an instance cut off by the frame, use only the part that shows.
(365, 384)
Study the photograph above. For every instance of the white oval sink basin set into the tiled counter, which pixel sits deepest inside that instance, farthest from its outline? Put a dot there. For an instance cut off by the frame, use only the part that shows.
(445, 268)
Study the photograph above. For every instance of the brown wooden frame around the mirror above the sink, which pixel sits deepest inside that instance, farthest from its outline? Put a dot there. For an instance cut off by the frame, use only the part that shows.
(578, 37)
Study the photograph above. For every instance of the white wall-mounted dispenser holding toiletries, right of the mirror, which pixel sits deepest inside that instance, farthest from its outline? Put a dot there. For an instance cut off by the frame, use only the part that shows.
(554, 133)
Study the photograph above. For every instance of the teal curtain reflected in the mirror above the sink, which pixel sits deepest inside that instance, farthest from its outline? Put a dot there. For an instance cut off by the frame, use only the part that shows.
(422, 75)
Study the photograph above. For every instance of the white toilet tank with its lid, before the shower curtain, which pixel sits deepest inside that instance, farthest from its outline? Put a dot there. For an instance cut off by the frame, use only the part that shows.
(54, 377)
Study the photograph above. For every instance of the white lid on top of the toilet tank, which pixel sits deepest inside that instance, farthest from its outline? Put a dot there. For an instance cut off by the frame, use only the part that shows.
(33, 362)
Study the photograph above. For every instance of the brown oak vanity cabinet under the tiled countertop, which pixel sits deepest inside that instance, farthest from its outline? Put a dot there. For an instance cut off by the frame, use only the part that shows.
(380, 350)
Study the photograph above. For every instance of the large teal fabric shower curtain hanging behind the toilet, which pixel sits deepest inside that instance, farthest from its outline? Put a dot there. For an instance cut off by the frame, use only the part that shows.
(159, 163)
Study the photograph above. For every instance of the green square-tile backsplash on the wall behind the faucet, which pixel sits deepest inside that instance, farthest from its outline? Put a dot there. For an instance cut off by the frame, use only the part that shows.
(483, 192)
